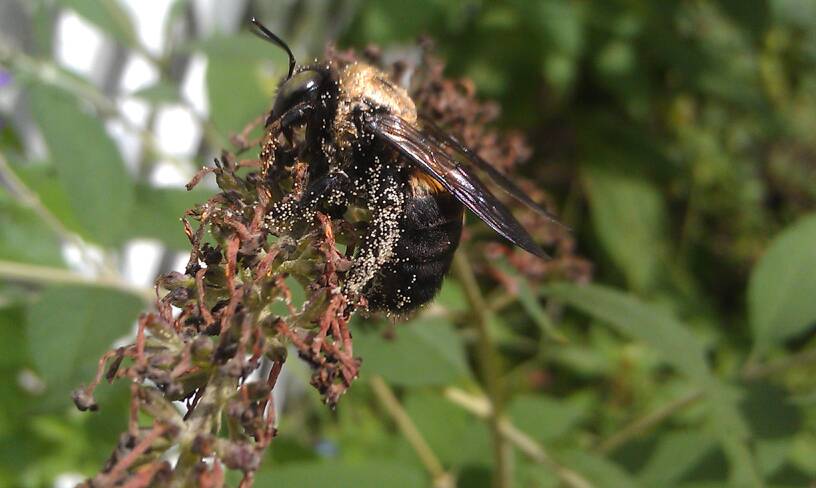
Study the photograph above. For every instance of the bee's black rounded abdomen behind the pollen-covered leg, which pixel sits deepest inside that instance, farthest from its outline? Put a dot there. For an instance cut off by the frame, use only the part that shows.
(431, 230)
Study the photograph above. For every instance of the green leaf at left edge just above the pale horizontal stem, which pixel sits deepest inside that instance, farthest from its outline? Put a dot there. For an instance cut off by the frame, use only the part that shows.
(25, 237)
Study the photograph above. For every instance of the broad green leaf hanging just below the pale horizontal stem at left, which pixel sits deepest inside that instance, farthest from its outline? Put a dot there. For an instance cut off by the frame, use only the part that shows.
(69, 328)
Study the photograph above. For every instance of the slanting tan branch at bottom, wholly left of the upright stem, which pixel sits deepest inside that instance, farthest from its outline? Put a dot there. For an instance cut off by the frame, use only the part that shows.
(441, 478)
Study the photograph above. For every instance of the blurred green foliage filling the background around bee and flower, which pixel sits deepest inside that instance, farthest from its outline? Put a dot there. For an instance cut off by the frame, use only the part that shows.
(677, 138)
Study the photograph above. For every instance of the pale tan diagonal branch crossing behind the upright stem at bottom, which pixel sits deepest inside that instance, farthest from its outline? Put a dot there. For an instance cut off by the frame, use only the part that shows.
(481, 407)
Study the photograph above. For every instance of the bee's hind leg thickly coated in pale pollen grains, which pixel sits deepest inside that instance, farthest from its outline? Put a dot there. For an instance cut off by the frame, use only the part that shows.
(386, 202)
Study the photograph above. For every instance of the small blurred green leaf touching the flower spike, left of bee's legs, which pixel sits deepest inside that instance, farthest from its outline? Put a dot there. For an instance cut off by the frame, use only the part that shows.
(157, 213)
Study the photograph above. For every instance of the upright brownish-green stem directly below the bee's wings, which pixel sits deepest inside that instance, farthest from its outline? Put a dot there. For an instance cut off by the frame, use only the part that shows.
(491, 370)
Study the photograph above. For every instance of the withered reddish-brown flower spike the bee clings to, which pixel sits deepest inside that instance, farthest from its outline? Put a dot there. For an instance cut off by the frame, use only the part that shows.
(215, 326)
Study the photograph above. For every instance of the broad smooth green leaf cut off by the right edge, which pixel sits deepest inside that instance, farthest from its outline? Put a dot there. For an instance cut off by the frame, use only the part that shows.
(780, 291)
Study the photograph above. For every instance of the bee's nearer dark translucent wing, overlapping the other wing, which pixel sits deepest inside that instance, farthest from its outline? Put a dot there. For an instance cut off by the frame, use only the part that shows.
(430, 156)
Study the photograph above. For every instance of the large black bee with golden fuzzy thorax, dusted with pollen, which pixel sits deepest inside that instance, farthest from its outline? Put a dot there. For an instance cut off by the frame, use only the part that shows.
(366, 144)
